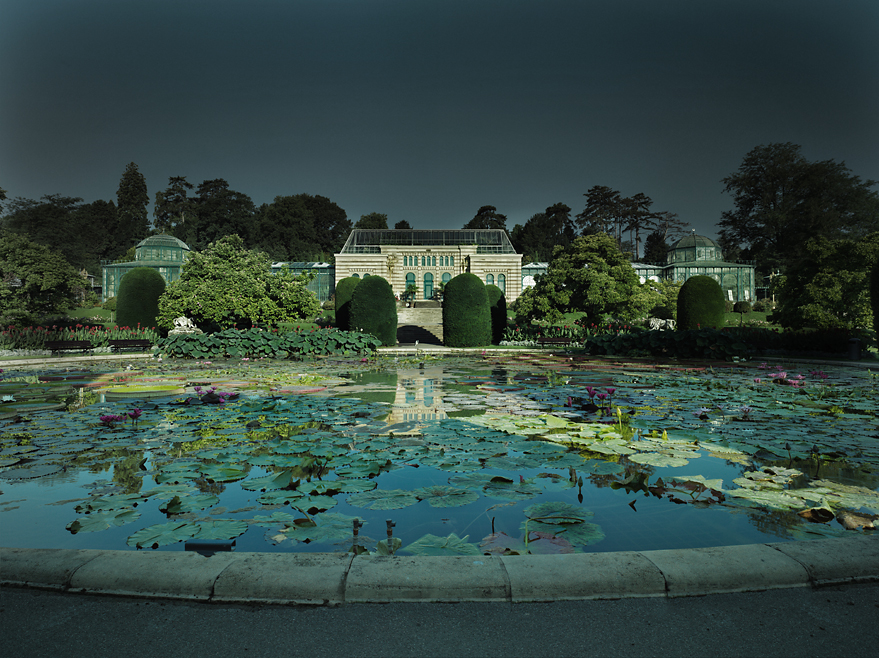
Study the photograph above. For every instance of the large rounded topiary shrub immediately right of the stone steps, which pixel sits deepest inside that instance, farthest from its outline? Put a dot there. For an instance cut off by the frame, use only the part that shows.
(466, 316)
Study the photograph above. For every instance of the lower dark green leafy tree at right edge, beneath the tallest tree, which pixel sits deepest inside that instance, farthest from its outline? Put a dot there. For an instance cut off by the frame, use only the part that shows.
(829, 285)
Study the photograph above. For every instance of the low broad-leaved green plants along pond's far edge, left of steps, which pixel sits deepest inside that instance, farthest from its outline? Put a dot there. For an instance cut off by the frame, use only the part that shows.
(254, 343)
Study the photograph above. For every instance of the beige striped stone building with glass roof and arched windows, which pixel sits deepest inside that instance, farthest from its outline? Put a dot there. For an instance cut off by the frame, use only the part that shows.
(427, 258)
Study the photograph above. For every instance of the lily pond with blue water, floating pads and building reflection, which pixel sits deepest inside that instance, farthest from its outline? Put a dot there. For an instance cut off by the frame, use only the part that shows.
(494, 455)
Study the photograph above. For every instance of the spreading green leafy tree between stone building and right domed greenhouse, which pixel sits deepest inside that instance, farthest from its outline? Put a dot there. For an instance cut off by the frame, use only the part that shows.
(591, 276)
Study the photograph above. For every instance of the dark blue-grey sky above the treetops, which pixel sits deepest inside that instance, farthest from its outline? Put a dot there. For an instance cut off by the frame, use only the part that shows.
(426, 110)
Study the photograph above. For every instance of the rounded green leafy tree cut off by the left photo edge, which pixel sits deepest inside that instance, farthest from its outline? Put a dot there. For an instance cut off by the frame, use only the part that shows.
(35, 281)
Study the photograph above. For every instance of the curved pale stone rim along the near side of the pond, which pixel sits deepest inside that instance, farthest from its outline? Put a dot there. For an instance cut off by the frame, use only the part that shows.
(334, 578)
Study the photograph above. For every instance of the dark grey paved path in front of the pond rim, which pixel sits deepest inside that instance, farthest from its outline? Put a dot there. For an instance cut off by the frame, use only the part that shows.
(831, 621)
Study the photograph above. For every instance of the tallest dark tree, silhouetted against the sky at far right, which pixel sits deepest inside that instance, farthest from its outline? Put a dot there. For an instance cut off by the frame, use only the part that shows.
(782, 200)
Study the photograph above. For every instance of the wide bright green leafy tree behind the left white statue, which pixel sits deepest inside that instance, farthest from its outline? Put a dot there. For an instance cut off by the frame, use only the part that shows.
(226, 285)
